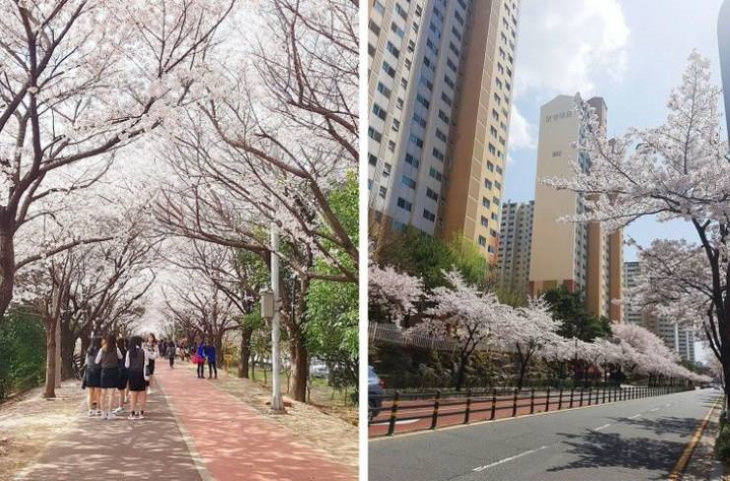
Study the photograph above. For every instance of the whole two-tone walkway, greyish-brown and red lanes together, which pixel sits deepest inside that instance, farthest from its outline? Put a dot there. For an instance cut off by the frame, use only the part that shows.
(229, 440)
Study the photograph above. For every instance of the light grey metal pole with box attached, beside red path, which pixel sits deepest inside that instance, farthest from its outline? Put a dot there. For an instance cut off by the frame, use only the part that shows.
(270, 303)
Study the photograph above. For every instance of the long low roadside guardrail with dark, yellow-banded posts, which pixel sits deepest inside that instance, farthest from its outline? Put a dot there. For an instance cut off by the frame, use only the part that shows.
(419, 411)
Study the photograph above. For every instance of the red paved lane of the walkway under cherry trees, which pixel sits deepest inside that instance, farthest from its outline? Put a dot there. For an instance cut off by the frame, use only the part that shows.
(235, 443)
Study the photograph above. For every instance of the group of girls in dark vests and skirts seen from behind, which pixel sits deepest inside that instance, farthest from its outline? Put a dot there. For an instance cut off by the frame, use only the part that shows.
(123, 367)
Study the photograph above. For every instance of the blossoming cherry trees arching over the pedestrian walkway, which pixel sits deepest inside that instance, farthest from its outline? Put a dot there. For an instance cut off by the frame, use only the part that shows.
(146, 149)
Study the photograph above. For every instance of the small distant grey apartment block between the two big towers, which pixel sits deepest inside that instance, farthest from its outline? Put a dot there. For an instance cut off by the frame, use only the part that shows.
(515, 239)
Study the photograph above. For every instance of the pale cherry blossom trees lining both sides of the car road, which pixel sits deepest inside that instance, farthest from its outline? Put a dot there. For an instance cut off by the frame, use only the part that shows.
(678, 170)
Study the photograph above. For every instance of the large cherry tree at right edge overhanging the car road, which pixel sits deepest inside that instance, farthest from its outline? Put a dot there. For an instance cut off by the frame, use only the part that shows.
(678, 170)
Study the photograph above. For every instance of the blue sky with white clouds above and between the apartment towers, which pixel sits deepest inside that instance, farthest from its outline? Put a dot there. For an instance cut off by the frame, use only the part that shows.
(630, 52)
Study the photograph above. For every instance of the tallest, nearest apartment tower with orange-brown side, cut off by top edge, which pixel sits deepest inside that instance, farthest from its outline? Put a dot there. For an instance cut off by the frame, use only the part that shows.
(440, 90)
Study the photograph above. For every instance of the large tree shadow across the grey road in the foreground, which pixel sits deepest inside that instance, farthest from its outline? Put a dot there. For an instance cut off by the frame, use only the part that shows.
(596, 450)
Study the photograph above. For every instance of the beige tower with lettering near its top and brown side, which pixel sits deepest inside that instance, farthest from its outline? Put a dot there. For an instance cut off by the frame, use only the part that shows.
(581, 256)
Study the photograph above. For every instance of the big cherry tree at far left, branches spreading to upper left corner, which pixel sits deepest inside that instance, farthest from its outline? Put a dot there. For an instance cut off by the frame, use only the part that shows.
(80, 80)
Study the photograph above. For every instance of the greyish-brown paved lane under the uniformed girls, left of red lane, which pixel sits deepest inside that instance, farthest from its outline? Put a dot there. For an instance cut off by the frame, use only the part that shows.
(119, 450)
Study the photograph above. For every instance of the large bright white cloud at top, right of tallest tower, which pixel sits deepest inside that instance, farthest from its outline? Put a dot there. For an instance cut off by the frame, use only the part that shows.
(566, 45)
